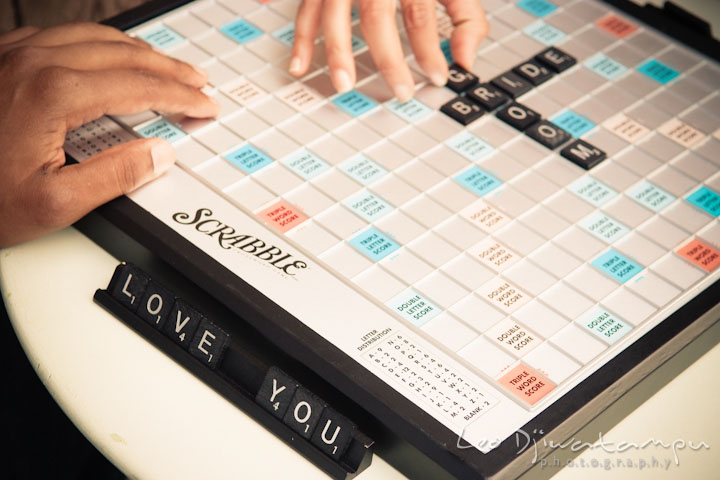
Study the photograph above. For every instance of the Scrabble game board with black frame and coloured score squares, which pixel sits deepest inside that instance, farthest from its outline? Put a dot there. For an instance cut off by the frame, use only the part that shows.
(485, 258)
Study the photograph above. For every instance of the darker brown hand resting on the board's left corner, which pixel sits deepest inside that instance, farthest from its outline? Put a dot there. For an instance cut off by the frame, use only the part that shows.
(54, 80)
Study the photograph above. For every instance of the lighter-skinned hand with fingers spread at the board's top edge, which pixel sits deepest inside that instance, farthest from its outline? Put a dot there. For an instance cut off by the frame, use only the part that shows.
(377, 20)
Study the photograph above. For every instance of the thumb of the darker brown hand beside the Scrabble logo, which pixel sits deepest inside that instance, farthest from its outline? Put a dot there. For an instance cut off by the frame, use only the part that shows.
(116, 171)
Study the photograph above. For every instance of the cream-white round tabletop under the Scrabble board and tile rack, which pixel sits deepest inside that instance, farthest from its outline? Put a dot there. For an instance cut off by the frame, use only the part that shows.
(154, 420)
